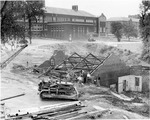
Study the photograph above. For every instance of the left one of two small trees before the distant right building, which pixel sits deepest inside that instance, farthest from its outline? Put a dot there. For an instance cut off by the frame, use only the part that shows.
(116, 29)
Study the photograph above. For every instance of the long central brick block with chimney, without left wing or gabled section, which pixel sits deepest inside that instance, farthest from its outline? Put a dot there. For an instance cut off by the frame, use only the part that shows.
(63, 23)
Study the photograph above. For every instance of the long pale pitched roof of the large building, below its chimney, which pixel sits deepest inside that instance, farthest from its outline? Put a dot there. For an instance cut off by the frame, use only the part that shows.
(63, 11)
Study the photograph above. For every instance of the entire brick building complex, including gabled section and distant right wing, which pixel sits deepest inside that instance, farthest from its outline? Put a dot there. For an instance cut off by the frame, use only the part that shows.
(60, 23)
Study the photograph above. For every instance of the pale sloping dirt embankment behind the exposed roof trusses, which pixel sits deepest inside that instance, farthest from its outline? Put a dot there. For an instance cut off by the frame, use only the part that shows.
(38, 53)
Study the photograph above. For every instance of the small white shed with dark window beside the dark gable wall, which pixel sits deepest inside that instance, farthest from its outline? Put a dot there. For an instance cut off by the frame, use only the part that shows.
(129, 83)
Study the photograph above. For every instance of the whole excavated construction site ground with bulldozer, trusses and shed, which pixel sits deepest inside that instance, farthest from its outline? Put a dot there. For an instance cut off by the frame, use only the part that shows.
(71, 80)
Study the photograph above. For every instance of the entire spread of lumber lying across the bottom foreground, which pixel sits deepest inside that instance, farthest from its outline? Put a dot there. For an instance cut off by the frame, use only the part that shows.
(64, 111)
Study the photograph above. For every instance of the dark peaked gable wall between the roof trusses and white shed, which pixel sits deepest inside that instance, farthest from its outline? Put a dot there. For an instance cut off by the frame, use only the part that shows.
(110, 70)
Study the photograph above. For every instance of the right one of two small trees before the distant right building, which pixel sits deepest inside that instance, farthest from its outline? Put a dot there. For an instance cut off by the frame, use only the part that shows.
(129, 30)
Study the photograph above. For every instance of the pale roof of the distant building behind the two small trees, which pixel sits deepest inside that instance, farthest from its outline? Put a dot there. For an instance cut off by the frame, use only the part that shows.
(122, 19)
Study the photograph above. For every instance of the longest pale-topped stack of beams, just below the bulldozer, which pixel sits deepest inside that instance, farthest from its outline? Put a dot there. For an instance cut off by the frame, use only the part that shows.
(46, 111)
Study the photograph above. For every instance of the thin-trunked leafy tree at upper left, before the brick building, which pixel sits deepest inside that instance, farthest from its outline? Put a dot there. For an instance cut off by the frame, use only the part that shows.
(32, 10)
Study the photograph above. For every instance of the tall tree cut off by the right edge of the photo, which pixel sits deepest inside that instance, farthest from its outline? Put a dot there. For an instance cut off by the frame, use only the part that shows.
(145, 29)
